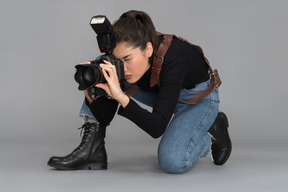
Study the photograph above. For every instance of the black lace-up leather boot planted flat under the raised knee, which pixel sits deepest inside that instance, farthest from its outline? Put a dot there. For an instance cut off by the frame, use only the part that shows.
(90, 154)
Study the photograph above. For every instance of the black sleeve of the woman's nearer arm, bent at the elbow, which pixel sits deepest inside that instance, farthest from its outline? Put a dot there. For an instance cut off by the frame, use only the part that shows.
(155, 122)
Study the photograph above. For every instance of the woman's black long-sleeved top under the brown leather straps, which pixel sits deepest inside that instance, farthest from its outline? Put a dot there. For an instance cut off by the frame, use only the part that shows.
(183, 67)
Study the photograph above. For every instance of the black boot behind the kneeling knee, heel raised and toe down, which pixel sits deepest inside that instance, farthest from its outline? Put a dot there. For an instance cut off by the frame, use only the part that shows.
(221, 143)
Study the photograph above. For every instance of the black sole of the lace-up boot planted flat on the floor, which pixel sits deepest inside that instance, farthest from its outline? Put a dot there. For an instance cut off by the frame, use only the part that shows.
(88, 166)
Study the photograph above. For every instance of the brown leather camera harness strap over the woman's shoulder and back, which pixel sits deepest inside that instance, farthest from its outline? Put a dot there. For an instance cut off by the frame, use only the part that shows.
(157, 64)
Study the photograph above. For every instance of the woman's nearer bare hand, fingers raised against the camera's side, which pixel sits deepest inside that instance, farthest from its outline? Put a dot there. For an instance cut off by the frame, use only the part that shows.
(112, 87)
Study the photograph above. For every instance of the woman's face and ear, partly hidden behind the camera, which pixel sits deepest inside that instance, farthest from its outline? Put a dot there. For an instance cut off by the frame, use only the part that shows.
(136, 61)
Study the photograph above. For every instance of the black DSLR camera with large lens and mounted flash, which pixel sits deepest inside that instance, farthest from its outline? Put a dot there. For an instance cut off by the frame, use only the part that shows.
(88, 75)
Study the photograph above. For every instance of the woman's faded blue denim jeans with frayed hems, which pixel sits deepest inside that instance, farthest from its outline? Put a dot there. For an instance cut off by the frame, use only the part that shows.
(185, 140)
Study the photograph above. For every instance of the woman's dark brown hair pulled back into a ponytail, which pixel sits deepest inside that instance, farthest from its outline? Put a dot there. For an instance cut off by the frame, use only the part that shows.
(136, 29)
